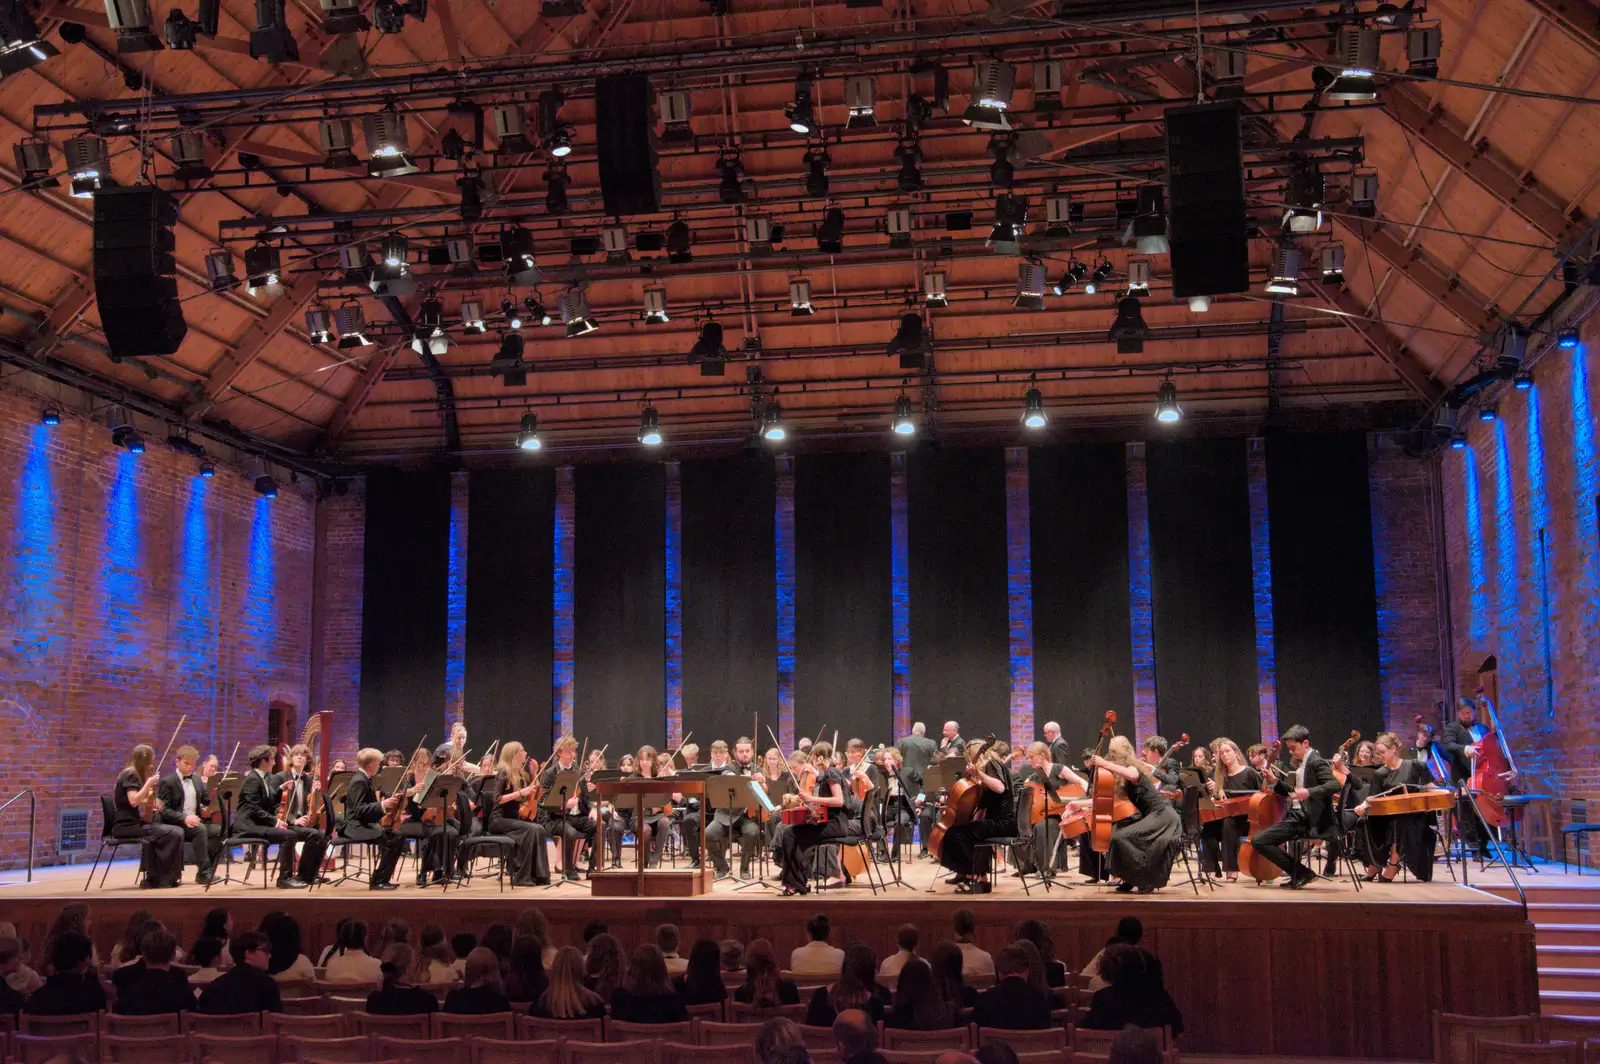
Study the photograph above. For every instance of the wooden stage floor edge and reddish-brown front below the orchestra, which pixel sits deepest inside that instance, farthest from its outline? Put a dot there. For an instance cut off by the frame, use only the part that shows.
(1318, 974)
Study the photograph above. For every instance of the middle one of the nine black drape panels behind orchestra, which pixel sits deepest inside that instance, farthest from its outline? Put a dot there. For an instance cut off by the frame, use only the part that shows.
(844, 610)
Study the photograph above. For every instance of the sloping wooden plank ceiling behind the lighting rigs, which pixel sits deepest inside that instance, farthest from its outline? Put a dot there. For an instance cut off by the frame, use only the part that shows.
(1484, 174)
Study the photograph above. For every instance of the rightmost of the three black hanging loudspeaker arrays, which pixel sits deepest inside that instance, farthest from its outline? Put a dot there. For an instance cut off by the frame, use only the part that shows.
(1206, 194)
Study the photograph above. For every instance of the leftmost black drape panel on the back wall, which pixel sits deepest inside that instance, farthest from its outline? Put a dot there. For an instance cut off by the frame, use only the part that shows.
(406, 585)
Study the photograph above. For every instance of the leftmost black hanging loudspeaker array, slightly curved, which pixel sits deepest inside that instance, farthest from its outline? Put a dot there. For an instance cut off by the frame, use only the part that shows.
(135, 273)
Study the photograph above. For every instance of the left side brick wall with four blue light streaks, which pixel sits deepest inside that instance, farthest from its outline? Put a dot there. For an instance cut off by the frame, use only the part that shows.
(135, 593)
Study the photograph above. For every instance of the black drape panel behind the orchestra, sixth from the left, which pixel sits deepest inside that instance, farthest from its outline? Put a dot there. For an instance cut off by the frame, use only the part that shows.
(961, 649)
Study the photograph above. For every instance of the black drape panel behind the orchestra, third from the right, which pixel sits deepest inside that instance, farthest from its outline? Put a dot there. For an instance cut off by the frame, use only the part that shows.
(1082, 638)
